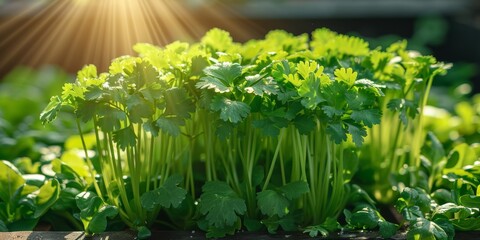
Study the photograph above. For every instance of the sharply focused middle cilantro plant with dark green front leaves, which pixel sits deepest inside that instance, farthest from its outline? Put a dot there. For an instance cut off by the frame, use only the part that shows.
(286, 121)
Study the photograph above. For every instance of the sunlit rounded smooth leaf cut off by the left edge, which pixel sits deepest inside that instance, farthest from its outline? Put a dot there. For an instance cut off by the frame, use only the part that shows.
(10, 180)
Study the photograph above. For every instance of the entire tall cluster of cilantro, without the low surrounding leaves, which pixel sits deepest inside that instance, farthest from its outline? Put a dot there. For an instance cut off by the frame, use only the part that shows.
(329, 88)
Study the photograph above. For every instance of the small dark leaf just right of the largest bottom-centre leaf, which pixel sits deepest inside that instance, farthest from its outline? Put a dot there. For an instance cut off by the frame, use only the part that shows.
(273, 203)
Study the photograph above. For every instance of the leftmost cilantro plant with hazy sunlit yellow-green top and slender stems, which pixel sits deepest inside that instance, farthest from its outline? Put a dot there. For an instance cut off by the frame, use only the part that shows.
(134, 110)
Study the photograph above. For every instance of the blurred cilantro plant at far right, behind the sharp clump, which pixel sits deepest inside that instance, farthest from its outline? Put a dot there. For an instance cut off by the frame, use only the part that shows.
(403, 79)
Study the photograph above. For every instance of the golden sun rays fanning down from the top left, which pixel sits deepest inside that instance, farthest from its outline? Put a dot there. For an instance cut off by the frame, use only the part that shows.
(77, 32)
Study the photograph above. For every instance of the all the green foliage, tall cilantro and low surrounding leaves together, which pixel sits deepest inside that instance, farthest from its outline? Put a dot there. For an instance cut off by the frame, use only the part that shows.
(265, 135)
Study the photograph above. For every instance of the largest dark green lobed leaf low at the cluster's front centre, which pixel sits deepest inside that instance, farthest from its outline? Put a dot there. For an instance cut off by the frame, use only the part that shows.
(221, 205)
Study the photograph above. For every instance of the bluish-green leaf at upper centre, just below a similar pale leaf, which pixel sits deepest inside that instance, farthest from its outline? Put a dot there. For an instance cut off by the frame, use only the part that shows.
(232, 111)
